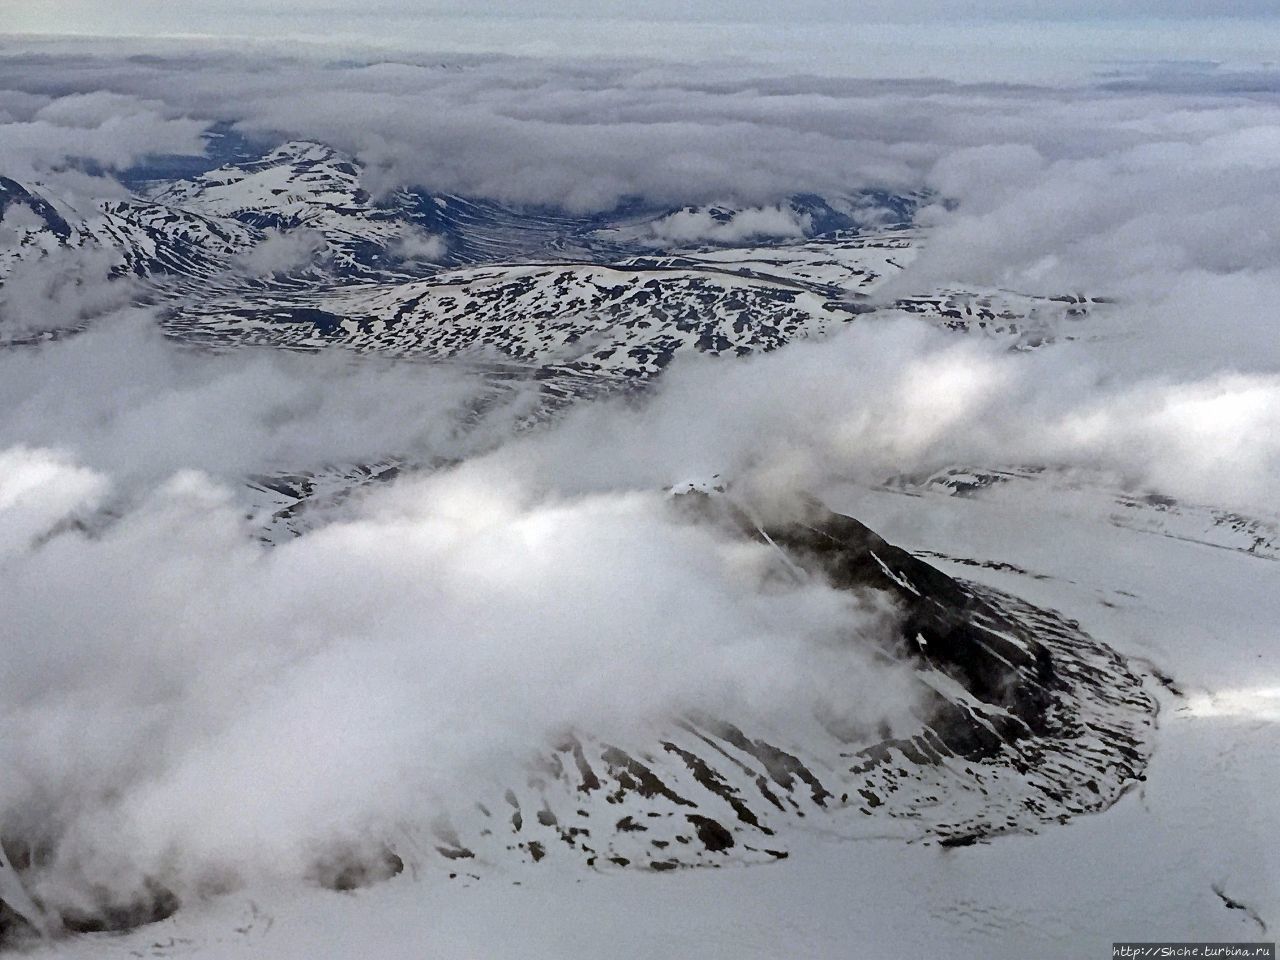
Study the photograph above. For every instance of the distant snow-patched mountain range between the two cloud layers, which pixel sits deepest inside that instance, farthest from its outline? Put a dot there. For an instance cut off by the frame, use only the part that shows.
(291, 250)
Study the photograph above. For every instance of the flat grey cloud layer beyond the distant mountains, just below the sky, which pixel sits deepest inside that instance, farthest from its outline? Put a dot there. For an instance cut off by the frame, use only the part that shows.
(592, 134)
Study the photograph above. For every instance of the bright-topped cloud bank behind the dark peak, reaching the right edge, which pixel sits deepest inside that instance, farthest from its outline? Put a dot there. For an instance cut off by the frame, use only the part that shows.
(884, 399)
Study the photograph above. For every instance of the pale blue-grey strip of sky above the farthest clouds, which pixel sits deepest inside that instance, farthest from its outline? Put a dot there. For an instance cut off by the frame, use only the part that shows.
(865, 38)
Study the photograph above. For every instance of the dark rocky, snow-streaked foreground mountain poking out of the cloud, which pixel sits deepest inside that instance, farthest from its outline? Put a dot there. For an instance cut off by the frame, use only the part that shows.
(1021, 721)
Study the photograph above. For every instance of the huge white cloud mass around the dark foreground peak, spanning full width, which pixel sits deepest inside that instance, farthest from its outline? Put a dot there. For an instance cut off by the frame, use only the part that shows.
(194, 707)
